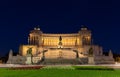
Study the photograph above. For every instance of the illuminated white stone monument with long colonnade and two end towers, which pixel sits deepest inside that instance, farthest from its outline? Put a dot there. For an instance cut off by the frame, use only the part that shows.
(74, 48)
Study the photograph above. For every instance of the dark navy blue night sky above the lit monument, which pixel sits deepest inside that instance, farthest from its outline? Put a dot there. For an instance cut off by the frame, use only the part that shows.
(17, 18)
